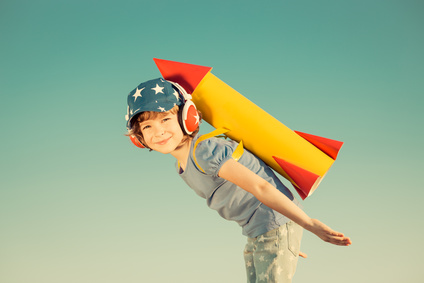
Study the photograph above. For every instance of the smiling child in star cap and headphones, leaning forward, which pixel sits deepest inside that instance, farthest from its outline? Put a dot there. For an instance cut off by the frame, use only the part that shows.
(235, 183)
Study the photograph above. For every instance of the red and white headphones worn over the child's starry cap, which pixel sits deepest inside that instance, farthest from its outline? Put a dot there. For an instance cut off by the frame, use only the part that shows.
(188, 116)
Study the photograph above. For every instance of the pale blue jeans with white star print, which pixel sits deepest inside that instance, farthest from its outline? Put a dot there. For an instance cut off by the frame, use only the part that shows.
(272, 256)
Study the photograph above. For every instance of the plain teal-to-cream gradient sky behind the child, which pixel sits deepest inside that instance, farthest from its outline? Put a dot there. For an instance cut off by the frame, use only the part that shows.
(79, 203)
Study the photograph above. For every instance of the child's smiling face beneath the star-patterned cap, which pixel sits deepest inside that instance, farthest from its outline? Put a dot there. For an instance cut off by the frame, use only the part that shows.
(162, 133)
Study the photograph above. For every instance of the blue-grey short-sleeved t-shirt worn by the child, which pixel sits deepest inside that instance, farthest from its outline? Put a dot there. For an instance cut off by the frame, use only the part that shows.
(230, 201)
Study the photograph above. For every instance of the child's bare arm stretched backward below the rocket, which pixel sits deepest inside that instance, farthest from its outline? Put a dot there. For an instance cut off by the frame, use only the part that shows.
(274, 199)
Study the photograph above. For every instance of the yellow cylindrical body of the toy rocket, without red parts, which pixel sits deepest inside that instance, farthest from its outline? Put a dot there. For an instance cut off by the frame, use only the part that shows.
(262, 134)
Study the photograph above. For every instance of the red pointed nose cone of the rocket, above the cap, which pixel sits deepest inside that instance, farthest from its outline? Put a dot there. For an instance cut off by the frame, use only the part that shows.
(187, 75)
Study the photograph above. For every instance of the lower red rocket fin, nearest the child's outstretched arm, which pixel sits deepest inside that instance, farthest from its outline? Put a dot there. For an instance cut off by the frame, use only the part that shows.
(302, 180)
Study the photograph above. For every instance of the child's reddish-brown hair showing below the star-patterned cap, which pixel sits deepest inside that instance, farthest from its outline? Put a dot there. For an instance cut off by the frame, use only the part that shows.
(147, 115)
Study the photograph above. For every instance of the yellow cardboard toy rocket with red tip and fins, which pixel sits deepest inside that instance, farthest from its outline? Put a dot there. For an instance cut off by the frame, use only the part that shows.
(301, 158)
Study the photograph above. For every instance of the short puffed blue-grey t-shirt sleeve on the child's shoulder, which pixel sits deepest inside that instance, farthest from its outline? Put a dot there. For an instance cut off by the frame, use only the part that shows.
(212, 153)
